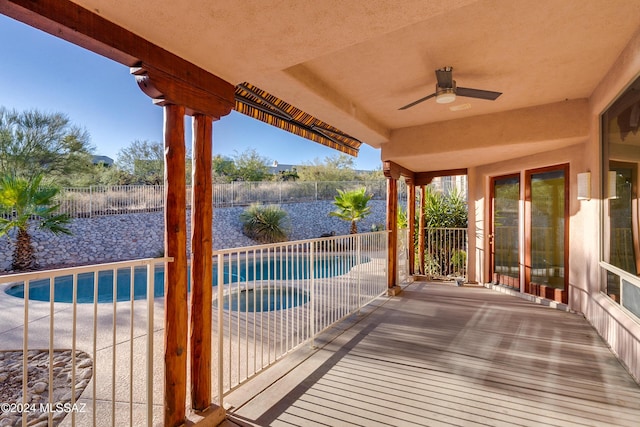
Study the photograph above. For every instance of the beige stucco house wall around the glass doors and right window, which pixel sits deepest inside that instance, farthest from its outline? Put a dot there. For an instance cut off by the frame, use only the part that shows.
(619, 329)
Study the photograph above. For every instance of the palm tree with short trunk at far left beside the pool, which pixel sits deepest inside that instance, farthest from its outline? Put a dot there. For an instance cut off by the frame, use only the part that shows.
(23, 202)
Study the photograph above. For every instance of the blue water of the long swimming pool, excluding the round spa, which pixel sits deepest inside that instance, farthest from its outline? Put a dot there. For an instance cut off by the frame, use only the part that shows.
(234, 272)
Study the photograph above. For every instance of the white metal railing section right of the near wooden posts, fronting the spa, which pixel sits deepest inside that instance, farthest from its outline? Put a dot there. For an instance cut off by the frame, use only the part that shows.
(278, 297)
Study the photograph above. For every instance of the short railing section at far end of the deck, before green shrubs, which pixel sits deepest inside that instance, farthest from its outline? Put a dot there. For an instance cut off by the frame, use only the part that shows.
(445, 253)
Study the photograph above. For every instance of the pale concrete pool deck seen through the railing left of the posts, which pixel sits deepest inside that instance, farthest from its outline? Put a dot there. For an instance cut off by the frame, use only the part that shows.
(106, 384)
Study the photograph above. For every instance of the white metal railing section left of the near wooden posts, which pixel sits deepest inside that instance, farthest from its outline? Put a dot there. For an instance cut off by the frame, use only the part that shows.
(88, 343)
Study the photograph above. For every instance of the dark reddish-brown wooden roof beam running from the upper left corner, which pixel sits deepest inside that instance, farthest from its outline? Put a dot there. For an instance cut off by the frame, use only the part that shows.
(71, 22)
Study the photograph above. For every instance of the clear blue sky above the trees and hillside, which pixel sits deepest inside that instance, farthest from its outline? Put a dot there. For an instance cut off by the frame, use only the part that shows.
(41, 71)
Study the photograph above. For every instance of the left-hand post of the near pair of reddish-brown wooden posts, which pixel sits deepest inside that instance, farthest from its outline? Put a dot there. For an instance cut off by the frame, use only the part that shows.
(175, 323)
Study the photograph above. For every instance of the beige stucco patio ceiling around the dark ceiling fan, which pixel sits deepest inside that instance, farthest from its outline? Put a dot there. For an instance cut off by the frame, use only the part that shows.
(354, 63)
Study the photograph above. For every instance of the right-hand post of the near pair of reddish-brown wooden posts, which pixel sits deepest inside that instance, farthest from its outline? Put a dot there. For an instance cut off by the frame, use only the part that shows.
(201, 263)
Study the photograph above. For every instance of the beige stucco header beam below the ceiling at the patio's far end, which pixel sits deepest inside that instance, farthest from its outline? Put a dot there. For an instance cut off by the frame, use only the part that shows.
(486, 139)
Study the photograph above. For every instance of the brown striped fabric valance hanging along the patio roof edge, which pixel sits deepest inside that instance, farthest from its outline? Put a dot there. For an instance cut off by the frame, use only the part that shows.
(256, 103)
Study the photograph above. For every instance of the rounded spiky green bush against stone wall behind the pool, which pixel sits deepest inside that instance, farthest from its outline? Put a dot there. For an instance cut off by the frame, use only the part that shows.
(265, 224)
